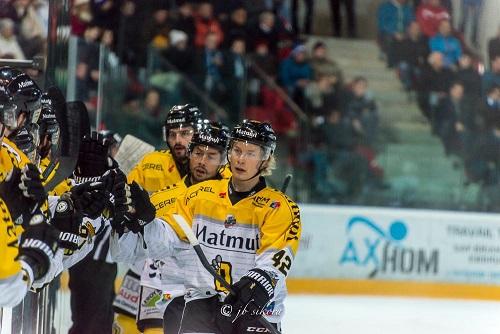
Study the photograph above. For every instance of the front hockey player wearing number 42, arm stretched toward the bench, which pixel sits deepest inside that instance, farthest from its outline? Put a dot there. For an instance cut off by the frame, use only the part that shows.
(248, 230)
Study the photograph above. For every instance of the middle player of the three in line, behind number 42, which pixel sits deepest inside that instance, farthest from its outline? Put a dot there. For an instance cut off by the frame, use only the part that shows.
(207, 157)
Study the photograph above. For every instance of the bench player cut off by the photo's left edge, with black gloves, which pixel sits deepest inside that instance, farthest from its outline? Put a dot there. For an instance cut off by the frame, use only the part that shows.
(28, 244)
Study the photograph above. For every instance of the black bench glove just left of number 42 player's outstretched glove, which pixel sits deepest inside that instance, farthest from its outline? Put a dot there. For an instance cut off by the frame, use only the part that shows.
(90, 198)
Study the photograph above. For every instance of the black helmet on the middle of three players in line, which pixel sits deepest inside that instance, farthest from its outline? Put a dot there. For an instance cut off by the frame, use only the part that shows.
(212, 134)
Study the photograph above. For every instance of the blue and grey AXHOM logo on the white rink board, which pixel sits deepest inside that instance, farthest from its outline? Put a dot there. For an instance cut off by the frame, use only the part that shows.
(382, 251)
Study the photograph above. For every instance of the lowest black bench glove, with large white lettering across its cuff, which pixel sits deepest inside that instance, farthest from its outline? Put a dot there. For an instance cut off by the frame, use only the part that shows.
(38, 245)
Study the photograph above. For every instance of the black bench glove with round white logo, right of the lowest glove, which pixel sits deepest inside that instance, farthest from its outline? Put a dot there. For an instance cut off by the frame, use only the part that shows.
(67, 220)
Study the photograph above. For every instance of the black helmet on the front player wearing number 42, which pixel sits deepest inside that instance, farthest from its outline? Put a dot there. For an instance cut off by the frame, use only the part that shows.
(255, 132)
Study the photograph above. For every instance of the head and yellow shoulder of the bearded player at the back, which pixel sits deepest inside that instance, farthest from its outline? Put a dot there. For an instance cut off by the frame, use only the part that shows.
(159, 169)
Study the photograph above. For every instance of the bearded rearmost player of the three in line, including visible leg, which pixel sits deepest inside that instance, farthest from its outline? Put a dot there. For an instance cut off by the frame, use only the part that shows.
(155, 171)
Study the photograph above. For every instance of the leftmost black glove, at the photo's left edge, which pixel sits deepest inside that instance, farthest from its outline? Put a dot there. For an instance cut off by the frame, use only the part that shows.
(23, 193)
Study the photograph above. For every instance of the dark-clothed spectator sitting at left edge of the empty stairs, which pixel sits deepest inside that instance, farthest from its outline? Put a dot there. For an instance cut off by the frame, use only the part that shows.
(362, 111)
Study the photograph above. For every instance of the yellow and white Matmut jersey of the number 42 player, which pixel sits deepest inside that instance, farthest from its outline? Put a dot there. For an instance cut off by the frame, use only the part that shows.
(259, 231)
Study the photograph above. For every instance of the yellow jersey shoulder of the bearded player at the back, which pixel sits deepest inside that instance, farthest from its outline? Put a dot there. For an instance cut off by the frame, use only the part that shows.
(155, 171)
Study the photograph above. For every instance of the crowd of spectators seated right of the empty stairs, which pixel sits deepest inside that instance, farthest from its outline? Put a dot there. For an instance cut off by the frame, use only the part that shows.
(460, 99)
